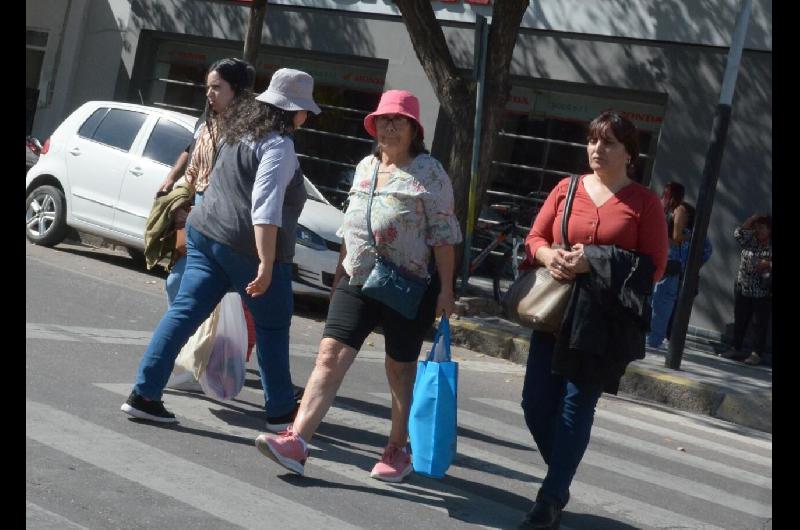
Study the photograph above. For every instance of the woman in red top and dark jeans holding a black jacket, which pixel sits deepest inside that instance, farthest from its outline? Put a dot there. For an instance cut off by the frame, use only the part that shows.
(619, 249)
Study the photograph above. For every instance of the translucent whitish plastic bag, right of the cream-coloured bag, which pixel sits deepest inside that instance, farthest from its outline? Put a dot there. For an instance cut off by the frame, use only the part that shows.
(223, 377)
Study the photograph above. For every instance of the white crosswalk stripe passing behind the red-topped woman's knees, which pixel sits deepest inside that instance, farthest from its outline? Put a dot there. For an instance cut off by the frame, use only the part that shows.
(655, 450)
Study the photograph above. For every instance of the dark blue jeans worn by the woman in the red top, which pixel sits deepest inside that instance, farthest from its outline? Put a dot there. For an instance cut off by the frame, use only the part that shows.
(559, 415)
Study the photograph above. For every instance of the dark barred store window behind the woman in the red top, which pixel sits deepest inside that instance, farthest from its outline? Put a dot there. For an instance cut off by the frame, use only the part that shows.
(543, 140)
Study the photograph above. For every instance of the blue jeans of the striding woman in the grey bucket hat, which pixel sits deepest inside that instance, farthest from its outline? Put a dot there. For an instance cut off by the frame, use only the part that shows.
(212, 268)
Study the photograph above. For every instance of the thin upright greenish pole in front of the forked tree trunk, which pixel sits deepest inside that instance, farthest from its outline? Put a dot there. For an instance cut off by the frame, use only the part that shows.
(481, 39)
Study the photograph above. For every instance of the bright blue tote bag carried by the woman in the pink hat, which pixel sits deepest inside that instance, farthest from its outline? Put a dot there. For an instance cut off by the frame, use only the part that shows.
(433, 417)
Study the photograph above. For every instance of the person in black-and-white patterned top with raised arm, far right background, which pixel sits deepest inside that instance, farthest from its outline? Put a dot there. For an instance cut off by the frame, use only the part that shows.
(753, 291)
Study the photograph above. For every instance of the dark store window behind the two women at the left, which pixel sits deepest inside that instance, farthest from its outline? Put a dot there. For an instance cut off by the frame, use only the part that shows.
(172, 76)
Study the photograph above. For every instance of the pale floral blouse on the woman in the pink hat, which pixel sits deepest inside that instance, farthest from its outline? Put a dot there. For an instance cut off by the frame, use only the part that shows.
(412, 212)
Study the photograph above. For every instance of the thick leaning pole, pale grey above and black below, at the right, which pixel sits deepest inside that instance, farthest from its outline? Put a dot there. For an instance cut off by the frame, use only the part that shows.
(705, 198)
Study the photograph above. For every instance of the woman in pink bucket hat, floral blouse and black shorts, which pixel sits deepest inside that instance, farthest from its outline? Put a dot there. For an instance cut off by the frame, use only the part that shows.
(400, 211)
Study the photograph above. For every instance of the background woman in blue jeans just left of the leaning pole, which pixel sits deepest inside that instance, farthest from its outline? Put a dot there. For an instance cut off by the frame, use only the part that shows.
(680, 223)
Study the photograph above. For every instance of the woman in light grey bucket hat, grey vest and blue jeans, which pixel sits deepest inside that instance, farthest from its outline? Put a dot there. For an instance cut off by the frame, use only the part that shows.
(241, 236)
